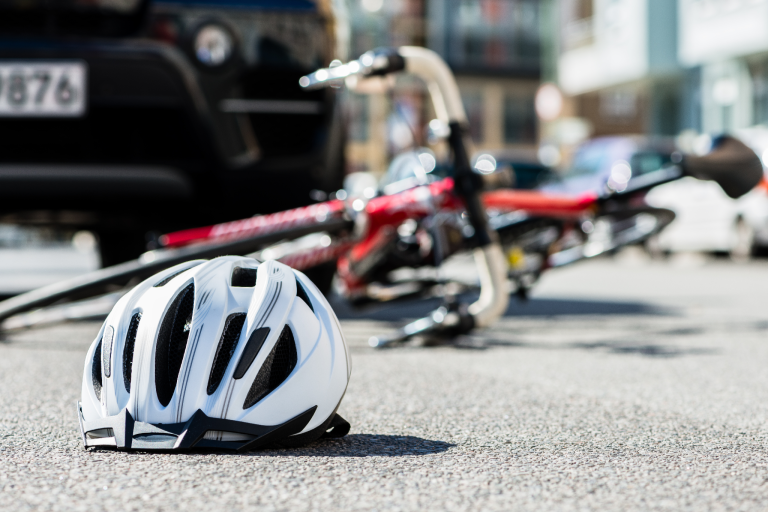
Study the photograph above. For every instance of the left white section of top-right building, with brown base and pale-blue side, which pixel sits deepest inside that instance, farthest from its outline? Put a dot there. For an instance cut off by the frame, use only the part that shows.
(618, 63)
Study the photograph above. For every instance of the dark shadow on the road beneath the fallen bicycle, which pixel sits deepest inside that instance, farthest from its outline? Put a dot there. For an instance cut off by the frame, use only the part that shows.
(531, 308)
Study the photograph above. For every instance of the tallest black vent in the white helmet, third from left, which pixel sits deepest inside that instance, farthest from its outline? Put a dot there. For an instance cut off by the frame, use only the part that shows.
(172, 343)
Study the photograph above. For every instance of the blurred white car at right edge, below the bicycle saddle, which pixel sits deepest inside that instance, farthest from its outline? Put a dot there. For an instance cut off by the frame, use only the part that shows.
(707, 220)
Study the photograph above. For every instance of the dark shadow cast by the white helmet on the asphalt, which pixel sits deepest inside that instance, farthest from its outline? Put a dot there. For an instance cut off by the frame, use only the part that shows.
(361, 445)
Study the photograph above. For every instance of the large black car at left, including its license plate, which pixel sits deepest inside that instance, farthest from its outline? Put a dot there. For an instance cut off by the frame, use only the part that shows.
(131, 116)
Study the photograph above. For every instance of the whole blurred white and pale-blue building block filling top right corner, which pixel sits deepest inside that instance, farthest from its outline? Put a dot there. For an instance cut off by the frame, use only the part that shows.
(663, 66)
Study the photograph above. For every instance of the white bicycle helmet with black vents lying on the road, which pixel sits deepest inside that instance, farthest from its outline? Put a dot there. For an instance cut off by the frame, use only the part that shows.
(228, 353)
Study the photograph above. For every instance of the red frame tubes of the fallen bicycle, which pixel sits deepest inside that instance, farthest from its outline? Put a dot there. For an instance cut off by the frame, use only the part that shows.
(379, 219)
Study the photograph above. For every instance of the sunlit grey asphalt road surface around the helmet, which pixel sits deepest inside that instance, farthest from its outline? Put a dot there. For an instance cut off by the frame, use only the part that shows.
(622, 385)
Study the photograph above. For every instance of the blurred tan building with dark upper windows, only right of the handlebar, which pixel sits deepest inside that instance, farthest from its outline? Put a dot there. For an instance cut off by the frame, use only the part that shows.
(493, 46)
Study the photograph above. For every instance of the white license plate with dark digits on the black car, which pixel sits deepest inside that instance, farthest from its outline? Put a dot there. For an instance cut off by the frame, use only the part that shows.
(29, 89)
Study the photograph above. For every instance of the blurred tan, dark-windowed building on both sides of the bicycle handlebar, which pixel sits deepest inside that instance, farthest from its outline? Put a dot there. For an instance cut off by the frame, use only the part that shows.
(494, 48)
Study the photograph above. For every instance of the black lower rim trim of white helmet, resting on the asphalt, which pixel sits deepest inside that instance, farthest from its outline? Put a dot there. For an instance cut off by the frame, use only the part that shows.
(124, 433)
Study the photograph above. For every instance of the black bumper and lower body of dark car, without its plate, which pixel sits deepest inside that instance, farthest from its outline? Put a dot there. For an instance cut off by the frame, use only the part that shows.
(152, 131)
